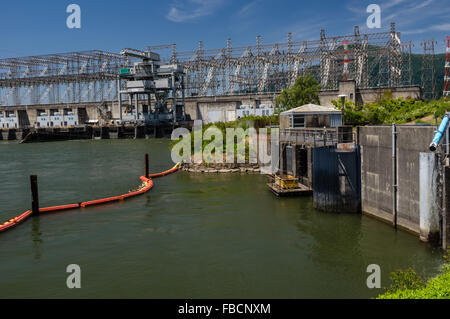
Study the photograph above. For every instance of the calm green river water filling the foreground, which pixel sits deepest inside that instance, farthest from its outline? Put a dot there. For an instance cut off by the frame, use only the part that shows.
(191, 236)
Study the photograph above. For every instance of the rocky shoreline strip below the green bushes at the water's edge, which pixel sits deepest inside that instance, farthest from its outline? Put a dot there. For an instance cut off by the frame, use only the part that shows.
(213, 168)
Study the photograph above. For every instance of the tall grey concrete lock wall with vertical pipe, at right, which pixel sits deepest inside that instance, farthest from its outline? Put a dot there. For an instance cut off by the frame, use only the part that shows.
(376, 172)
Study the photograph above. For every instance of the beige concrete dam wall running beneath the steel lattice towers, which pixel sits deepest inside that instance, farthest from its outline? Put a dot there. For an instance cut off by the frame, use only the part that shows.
(201, 108)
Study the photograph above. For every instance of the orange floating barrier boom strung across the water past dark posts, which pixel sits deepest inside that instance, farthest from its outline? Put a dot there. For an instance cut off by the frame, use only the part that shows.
(144, 188)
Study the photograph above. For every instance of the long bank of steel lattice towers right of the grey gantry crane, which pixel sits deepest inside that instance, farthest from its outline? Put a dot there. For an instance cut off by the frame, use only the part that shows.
(373, 60)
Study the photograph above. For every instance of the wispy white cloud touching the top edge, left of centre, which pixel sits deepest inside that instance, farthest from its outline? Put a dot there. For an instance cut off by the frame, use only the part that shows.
(188, 10)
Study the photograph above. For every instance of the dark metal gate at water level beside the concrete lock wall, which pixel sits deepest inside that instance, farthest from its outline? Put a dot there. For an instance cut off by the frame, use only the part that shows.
(337, 179)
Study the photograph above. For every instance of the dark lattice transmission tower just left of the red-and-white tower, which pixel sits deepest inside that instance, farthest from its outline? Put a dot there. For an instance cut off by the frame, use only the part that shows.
(428, 70)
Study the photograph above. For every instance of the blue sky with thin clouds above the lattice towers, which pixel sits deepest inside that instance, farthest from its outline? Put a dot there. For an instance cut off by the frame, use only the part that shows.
(39, 27)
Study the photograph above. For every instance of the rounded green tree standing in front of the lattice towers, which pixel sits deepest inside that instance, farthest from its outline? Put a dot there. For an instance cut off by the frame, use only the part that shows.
(304, 91)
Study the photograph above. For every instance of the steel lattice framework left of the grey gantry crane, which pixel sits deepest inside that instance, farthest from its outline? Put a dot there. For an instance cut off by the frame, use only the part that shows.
(75, 77)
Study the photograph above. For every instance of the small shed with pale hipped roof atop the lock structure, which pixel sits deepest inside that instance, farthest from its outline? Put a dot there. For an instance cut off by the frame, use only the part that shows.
(311, 116)
